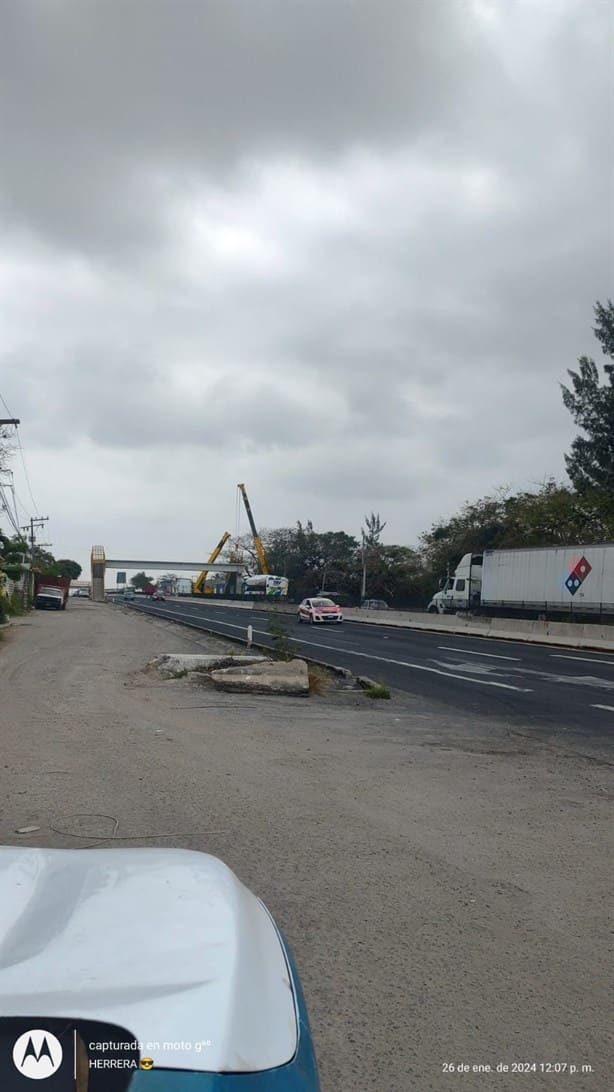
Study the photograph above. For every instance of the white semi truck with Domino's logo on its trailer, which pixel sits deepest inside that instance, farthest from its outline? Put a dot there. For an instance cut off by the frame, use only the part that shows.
(545, 580)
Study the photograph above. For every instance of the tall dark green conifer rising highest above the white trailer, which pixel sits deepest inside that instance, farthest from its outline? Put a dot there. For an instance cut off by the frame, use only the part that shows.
(591, 464)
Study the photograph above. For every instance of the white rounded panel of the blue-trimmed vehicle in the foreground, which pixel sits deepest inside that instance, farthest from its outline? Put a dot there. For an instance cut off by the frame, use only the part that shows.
(166, 943)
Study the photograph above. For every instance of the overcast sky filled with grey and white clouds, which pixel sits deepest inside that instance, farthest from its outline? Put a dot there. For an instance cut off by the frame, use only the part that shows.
(344, 252)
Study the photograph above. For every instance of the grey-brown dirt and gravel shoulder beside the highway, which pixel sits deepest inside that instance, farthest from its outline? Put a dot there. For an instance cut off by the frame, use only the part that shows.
(445, 885)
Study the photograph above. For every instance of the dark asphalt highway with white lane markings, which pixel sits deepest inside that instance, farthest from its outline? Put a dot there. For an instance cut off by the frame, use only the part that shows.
(537, 685)
